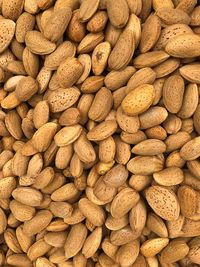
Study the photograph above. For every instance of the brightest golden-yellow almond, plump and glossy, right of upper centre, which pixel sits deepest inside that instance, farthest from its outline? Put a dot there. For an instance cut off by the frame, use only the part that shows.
(138, 100)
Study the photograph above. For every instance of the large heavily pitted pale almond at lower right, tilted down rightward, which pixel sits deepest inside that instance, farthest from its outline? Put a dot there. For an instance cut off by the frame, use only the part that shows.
(156, 196)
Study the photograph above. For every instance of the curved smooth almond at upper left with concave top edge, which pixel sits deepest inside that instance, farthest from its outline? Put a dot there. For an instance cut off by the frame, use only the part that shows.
(38, 44)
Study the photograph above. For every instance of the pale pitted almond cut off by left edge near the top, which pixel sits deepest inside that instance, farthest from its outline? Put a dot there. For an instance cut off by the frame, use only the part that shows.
(7, 27)
